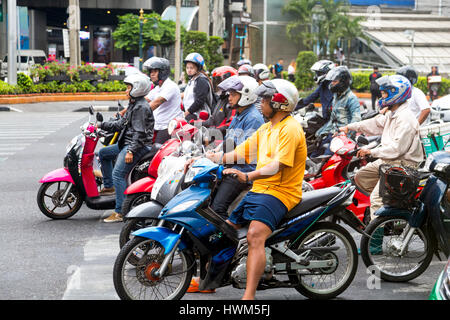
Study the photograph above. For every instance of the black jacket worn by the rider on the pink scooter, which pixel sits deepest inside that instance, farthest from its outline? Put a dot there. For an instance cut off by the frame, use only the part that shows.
(136, 126)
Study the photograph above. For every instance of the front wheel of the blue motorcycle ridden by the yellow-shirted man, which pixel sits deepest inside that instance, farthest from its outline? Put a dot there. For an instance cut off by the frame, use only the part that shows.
(138, 281)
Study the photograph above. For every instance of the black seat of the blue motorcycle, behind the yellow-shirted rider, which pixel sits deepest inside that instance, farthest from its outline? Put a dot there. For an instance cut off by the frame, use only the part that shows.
(311, 200)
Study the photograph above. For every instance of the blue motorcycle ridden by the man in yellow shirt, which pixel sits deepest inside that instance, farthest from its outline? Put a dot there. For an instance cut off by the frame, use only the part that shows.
(316, 257)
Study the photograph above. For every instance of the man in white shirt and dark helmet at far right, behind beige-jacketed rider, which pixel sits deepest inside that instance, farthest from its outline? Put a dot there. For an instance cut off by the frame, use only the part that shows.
(418, 102)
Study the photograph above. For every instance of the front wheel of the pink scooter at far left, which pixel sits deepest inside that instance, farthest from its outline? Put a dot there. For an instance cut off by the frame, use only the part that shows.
(50, 196)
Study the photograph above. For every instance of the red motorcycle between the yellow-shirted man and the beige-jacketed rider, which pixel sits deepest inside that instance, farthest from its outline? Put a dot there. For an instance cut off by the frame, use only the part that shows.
(339, 168)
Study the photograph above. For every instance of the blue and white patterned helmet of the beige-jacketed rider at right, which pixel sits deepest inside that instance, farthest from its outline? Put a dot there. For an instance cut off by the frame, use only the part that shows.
(397, 87)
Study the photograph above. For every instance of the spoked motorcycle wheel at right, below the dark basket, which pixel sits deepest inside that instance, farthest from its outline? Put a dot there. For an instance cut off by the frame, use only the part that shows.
(382, 251)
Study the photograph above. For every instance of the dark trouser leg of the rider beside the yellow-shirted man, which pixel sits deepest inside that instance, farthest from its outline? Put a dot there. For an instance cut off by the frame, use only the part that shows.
(229, 189)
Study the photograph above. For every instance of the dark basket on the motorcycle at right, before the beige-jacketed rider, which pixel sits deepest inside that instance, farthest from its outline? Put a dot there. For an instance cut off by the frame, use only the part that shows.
(398, 186)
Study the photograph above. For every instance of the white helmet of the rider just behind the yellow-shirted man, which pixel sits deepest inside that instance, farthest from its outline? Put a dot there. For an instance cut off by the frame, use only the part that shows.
(244, 85)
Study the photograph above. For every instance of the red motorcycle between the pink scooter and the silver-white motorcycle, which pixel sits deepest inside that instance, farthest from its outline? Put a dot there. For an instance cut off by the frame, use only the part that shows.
(140, 191)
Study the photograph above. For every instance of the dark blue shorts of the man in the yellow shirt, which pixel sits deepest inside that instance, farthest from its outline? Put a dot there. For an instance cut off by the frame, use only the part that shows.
(261, 207)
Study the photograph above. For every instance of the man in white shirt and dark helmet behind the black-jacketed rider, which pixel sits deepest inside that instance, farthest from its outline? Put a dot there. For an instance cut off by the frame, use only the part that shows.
(164, 99)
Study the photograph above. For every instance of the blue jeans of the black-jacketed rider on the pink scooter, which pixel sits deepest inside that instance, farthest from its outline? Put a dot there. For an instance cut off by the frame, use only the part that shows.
(115, 174)
